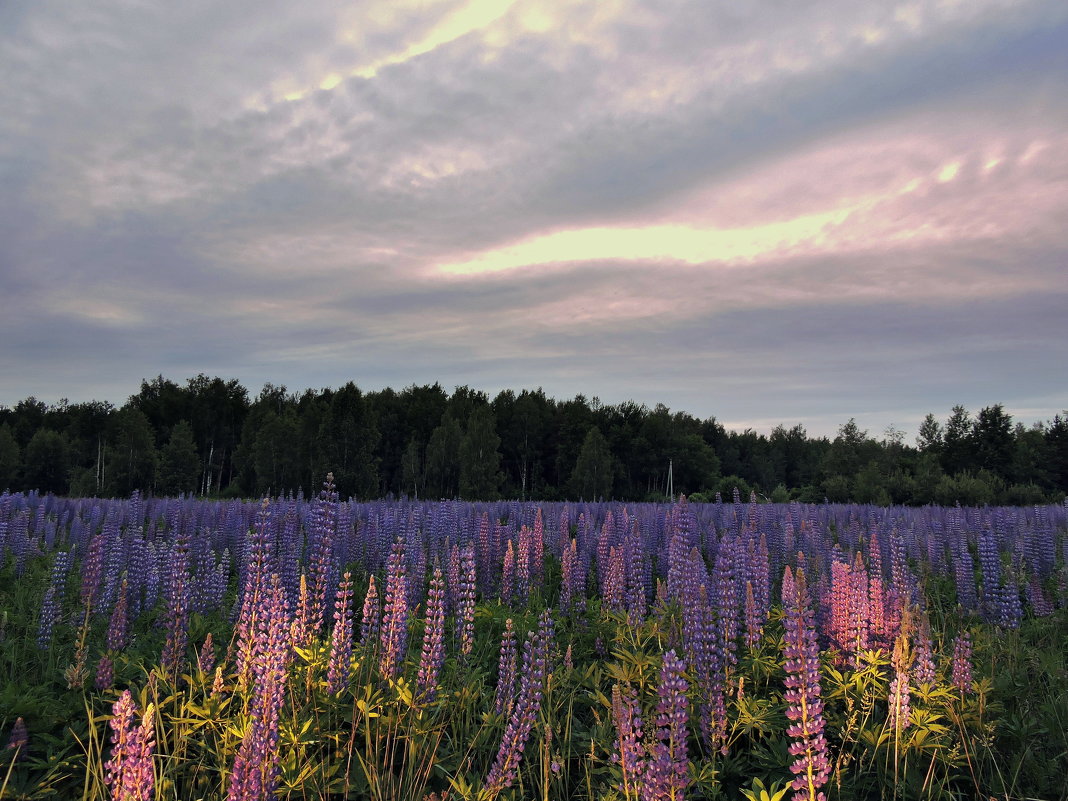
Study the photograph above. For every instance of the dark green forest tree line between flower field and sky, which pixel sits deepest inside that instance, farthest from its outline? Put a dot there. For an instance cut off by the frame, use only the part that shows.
(210, 437)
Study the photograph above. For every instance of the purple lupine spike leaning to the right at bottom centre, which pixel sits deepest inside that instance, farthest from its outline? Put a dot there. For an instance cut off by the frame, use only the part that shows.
(524, 714)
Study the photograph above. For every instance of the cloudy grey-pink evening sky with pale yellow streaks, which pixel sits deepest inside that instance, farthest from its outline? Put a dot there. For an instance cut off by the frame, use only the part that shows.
(761, 212)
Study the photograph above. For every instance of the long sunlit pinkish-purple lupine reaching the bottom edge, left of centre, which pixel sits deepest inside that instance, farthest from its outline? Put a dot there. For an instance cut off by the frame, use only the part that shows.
(256, 774)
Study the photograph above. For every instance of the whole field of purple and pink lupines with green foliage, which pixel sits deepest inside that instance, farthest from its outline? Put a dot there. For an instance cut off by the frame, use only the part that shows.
(180, 649)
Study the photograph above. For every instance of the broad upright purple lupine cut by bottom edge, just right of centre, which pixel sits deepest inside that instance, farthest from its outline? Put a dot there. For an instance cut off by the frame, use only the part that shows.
(666, 774)
